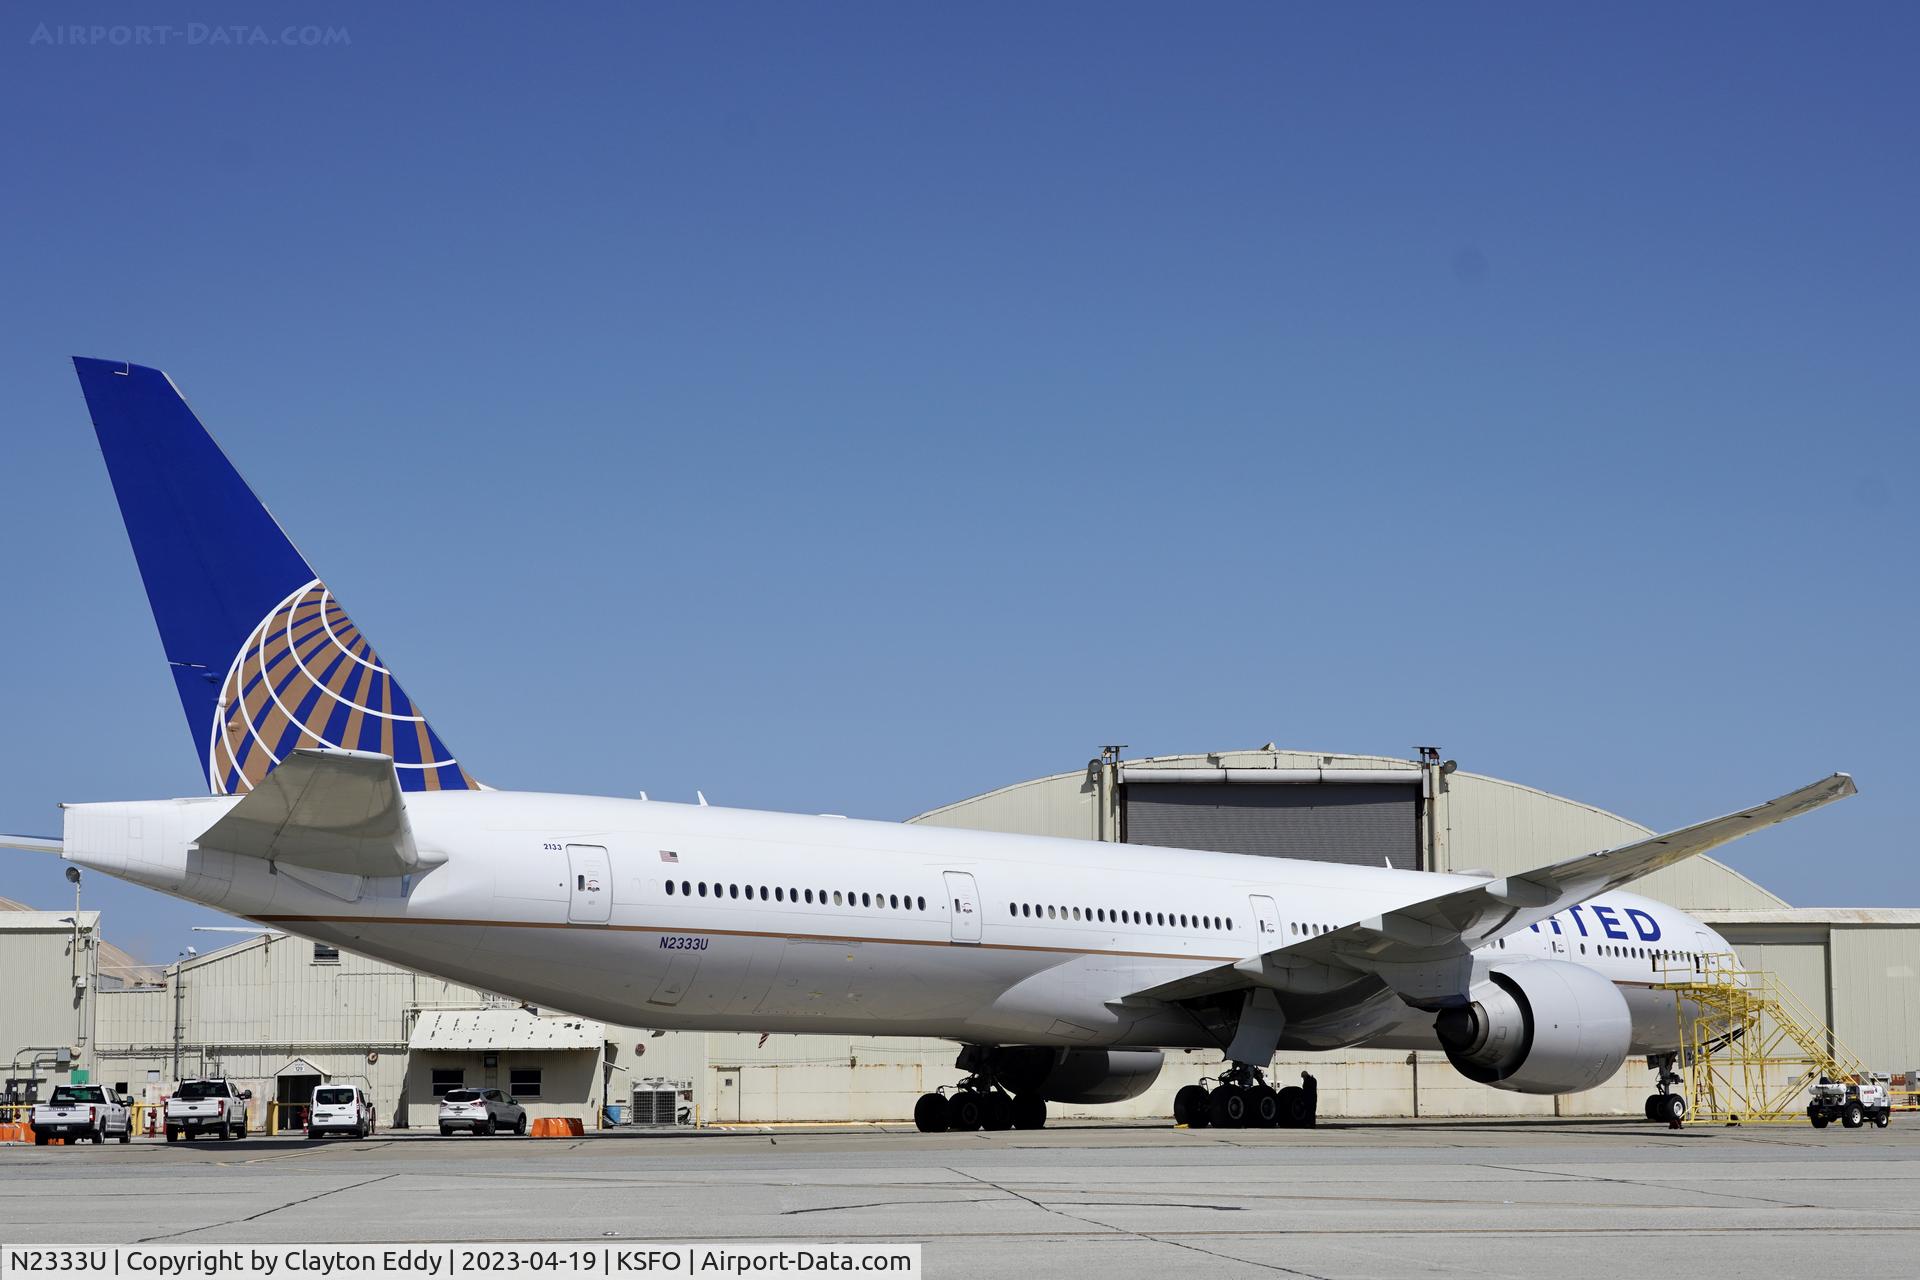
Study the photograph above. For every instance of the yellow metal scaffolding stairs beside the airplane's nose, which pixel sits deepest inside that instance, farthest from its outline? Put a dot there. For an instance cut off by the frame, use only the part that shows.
(1754, 1047)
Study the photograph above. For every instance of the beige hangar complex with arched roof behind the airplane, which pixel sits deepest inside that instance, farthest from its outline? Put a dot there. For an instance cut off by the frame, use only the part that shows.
(283, 1014)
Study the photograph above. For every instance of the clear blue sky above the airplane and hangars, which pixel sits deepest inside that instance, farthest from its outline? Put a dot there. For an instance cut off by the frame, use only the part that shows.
(855, 408)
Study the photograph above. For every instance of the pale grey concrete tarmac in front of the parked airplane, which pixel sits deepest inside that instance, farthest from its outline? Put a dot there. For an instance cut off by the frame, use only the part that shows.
(1099, 1200)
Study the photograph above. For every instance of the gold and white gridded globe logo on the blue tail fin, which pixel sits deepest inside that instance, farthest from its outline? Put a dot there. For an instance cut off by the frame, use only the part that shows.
(308, 678)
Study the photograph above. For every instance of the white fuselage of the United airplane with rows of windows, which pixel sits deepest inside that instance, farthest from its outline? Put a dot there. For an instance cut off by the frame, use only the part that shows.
(731, 920)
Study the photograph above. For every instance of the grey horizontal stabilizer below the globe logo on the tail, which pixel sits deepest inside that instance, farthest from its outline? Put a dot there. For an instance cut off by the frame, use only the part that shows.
(325, 811)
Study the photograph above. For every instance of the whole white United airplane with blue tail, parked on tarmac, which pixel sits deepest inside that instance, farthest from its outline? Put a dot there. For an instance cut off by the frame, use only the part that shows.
(1065, 970)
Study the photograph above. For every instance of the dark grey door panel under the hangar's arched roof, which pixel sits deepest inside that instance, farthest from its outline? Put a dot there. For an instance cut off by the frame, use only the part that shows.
(1368, 824)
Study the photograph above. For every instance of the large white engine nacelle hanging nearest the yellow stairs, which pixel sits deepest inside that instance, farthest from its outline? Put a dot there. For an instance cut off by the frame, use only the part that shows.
(1539, 1028)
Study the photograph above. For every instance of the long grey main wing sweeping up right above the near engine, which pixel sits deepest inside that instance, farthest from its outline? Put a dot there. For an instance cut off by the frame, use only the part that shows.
(1435, 932)
